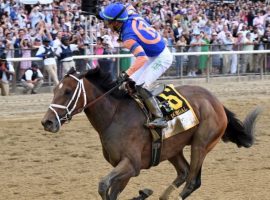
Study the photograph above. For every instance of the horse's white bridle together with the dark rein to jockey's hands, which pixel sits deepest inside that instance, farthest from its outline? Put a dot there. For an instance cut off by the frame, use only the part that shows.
(80, 89)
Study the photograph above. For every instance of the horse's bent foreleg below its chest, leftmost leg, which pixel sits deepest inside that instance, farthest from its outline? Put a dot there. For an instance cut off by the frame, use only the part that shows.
(112, 184)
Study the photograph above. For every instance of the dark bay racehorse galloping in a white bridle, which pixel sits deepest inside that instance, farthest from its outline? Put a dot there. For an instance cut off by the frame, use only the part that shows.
(127, 143)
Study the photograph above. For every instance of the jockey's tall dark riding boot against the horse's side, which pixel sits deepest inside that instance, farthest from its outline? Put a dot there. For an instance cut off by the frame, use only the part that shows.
(153, 107)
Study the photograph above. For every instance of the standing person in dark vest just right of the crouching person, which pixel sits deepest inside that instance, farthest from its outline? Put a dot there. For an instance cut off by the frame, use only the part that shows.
(46, 52)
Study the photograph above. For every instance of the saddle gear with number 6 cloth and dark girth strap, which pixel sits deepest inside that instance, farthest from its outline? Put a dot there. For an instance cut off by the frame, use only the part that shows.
(177, 112)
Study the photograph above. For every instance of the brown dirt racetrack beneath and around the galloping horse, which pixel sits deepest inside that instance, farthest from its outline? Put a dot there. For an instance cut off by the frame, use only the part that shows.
(36, 165)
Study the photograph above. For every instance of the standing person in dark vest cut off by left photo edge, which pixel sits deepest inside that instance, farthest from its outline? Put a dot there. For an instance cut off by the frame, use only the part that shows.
(6, 71)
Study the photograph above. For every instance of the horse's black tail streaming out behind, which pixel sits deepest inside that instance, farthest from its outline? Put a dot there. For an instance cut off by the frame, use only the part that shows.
(241, 133)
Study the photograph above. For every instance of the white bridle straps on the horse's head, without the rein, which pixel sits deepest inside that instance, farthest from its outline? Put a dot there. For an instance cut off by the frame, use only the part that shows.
(69, 109)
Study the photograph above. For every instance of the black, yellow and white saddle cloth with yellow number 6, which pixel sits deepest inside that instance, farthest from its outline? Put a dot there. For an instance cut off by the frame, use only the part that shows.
(177, 111)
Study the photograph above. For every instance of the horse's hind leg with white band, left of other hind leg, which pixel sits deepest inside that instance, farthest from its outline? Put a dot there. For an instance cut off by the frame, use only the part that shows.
(182, 167)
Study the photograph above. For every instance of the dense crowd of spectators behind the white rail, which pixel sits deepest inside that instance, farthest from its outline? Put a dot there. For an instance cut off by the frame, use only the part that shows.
(185, 25)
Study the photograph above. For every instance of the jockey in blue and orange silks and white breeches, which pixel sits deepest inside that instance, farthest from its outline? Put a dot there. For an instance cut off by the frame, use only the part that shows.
(153, 58)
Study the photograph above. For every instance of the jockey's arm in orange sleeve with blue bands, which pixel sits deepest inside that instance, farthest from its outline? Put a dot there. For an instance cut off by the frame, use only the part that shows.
(137, 50)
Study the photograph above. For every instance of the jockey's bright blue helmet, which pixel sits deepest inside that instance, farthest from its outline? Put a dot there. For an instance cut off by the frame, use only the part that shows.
(114, 12)
